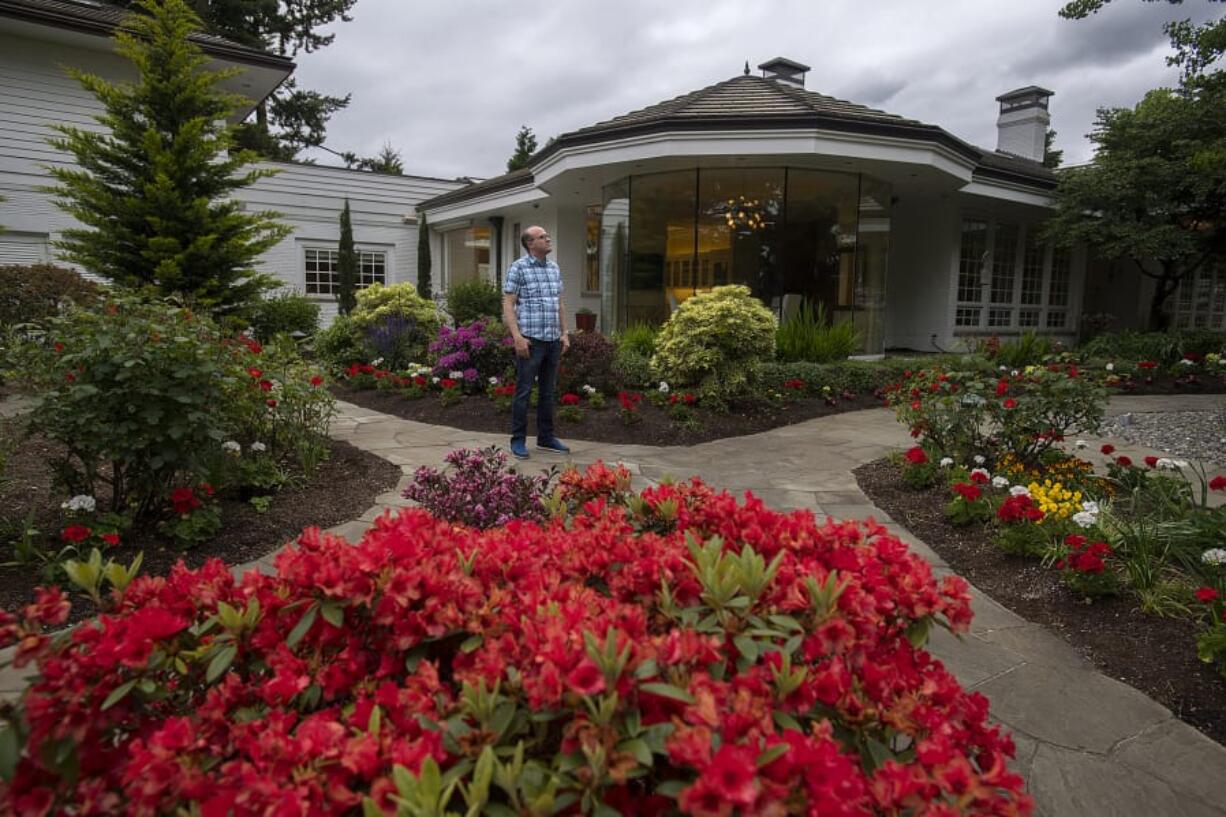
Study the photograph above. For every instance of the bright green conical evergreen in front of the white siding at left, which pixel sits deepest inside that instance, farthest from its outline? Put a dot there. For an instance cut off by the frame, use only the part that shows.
(156, 190)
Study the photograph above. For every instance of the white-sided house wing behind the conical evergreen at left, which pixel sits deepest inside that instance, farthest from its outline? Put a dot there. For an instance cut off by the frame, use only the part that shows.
(39, 39)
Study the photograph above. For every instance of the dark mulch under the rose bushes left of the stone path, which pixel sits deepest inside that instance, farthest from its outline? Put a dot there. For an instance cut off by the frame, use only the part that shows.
(343, 489)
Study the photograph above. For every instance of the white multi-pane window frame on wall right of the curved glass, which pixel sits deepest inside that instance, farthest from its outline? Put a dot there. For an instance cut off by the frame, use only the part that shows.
(1013, 317)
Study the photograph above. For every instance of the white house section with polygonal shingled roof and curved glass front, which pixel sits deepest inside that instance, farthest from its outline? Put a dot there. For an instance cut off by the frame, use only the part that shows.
(915, 236)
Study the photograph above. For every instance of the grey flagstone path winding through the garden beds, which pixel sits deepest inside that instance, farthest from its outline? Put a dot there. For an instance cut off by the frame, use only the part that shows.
(1088, 745)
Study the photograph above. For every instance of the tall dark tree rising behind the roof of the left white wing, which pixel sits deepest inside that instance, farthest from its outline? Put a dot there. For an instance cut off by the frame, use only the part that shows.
(292, 118)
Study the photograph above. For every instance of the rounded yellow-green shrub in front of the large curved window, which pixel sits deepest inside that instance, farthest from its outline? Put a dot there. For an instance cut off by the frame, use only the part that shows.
(715, 343)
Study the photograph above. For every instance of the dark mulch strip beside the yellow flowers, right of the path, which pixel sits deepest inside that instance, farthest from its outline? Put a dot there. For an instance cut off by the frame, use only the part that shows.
(1156, 656)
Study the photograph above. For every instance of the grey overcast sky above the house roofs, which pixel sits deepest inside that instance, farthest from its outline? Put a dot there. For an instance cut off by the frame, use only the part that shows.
(449, 84)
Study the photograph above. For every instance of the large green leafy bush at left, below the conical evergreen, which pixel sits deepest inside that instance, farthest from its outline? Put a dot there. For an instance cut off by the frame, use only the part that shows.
(133, 392)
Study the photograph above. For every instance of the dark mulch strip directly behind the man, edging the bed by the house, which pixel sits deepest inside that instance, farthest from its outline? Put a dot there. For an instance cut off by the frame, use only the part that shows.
(655, 428)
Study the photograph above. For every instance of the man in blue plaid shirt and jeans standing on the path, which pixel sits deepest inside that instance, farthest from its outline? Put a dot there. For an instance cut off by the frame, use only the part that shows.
(534, 312)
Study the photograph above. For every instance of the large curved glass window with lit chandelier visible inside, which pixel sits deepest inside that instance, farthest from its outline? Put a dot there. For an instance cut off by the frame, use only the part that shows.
(791, 236)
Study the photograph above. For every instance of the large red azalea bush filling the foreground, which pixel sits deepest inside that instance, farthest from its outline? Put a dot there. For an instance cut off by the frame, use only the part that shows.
(676, 654)
